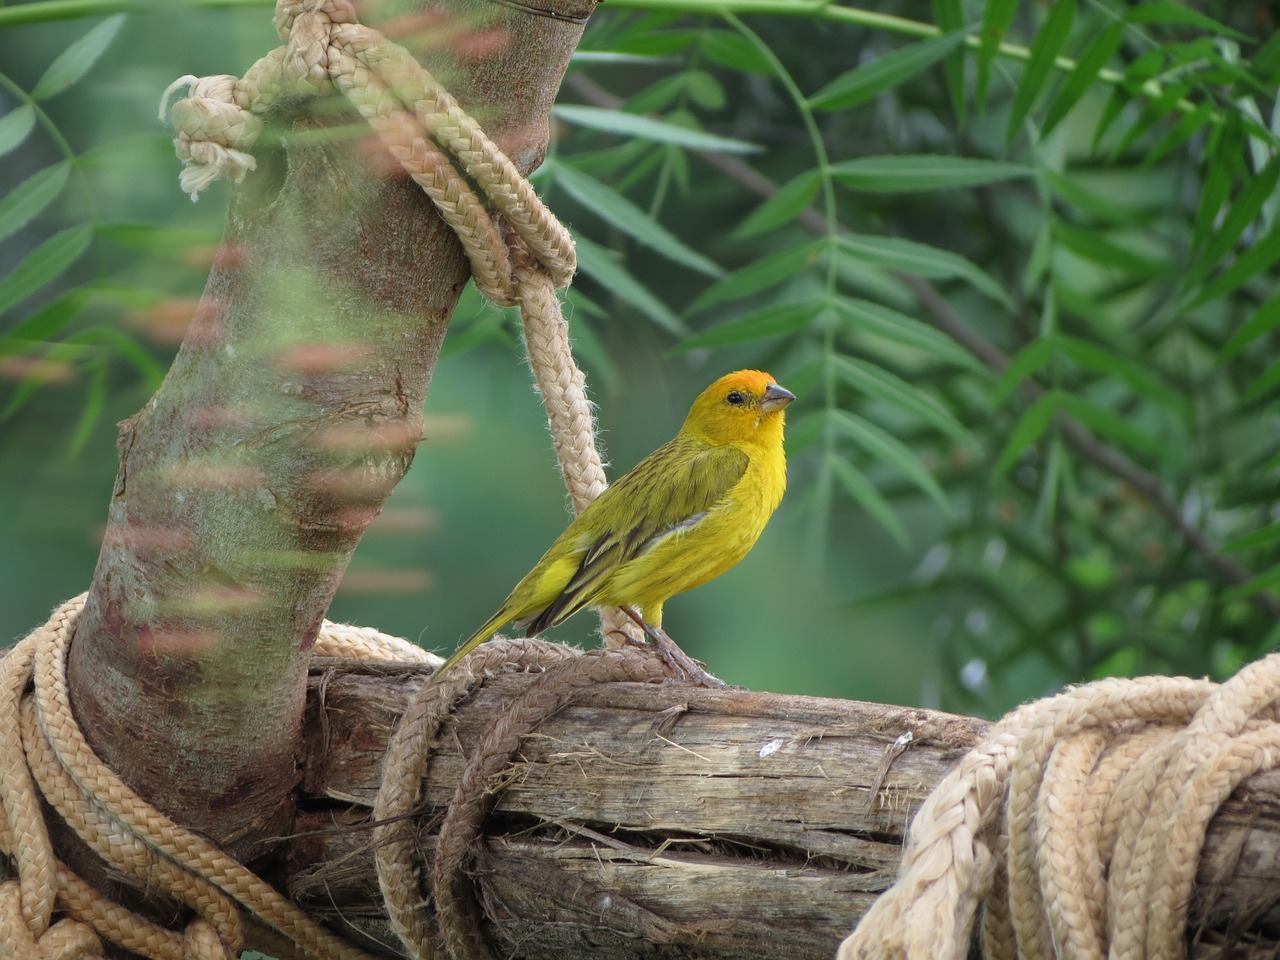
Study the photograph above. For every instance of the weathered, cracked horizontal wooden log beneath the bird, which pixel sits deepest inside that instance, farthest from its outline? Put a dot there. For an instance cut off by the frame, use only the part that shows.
(668, 821)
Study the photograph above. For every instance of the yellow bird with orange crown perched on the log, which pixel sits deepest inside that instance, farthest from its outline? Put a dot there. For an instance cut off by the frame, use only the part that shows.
(683, 516)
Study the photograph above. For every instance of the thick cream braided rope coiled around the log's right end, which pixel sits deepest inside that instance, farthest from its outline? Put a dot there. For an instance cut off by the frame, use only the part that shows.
(1078, 824)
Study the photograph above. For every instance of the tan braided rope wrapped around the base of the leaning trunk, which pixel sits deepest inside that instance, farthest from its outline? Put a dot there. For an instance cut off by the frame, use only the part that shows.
(44, 755)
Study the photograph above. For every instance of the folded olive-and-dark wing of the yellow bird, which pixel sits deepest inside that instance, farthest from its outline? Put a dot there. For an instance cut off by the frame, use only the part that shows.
(669, 492)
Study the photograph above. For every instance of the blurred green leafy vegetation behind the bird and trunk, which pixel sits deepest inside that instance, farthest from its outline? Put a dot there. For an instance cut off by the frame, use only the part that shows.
(1017, 263)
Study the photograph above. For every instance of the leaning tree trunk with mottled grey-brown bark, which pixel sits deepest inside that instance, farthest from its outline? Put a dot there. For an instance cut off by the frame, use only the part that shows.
(290, 415)
